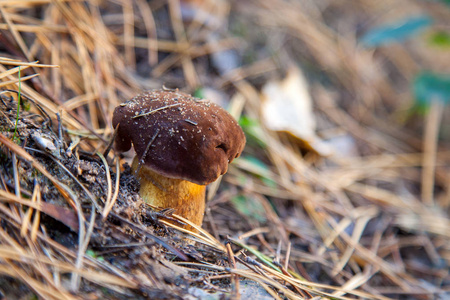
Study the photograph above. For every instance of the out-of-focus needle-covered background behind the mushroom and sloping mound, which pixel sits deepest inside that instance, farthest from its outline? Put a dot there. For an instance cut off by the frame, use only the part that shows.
(344, 106)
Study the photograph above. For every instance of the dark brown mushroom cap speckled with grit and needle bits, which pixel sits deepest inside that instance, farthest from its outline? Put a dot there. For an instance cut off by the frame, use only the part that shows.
(196, 138)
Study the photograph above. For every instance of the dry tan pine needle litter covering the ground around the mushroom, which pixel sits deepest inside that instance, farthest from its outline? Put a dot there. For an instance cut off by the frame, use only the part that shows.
(372, 225)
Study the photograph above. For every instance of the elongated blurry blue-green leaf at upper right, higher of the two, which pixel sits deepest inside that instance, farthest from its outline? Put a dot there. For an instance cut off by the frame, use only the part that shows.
(395, 32)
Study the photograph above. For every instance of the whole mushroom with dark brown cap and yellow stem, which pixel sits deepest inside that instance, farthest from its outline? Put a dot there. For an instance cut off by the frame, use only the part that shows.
(182, 144)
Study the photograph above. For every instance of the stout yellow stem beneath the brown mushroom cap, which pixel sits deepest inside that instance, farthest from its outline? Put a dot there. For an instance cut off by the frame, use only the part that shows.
(187, 198)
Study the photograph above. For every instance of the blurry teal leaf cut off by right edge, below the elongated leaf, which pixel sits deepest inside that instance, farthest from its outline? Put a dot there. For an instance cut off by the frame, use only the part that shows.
(429, 87)
